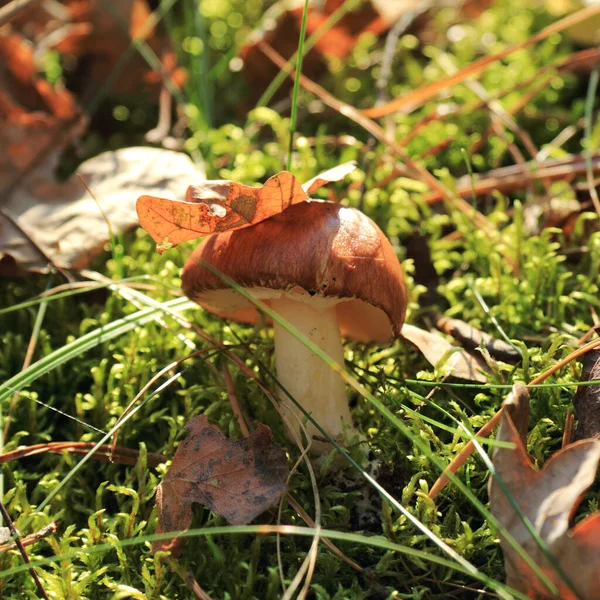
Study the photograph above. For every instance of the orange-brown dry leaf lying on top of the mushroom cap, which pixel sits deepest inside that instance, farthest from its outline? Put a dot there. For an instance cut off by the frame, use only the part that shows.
(215, 206)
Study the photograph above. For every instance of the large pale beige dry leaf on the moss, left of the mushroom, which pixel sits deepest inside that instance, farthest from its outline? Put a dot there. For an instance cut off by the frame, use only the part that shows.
(66, 223)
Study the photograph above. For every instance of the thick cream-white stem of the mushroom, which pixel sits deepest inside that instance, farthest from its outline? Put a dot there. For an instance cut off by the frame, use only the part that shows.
(312, 383)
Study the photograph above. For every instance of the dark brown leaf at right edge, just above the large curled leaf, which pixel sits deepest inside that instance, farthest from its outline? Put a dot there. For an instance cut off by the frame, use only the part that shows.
(587, 399)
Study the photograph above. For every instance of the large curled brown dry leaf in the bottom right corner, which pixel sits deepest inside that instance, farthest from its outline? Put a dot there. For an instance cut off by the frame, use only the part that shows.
(548, 498)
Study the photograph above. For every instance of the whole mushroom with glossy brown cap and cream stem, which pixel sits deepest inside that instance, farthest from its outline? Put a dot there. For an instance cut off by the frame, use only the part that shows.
(326, 269)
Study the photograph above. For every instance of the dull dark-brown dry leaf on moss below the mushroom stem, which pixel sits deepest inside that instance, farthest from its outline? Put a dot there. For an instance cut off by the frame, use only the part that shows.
(237, 479)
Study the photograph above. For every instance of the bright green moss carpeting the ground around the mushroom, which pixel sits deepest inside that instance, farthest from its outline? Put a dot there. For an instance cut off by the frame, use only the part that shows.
(96, 350)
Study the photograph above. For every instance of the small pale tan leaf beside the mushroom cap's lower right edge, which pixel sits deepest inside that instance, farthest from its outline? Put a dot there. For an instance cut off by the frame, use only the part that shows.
(459, 363)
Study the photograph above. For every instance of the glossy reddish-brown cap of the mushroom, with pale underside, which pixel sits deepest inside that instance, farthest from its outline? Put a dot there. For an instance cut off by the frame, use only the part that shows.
(311, 249)
